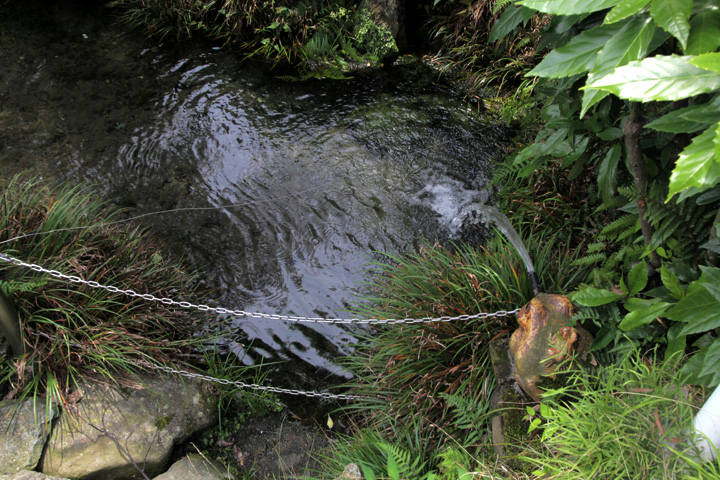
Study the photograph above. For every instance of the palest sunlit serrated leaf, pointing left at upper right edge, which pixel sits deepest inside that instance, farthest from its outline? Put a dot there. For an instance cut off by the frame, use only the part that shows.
(659, 78)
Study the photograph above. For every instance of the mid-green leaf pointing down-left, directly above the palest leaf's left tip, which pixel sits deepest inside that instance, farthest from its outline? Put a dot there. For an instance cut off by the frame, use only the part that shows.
(577, 56)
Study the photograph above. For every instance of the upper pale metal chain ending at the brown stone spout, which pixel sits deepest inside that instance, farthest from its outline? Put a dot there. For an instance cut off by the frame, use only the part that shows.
(242, 313)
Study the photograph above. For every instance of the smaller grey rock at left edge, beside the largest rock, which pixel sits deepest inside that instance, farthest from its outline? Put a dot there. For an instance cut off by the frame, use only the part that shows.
(23, 431)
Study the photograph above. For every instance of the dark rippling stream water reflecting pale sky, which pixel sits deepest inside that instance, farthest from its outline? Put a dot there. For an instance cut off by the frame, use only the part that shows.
(320, 174)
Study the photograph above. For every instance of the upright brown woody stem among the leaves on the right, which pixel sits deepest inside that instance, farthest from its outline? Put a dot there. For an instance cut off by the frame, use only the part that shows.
(631, 134)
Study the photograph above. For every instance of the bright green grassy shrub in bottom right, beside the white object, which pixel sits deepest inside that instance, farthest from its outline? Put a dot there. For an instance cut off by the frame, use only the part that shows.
(627, 420)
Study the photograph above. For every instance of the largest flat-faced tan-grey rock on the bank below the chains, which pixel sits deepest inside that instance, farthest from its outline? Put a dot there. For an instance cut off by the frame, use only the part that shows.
(112, 426)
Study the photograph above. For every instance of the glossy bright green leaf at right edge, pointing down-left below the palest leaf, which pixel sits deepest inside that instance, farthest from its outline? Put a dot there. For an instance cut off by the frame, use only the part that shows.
(698, 165)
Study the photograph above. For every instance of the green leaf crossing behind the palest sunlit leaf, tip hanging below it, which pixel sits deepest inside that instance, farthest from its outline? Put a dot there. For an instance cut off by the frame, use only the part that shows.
(630, 42)
